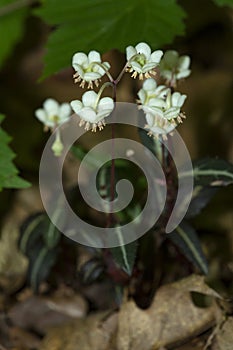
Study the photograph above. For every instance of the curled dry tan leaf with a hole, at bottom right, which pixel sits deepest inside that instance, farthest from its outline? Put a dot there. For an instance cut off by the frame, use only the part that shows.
(171, 318)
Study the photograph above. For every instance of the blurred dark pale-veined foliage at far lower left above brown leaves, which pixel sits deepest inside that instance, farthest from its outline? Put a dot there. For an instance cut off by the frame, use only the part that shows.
(39, 242)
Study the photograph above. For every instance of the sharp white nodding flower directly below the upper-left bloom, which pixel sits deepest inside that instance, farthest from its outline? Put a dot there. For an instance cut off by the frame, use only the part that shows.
(92, 110)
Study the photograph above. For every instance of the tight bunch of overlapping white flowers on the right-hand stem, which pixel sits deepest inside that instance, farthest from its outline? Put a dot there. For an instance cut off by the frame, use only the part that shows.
(162, 108)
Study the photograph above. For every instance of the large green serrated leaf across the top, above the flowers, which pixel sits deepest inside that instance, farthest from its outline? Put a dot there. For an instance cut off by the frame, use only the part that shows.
(103, 25)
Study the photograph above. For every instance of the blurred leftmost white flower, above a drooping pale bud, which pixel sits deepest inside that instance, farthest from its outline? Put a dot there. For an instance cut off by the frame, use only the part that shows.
(52, 114)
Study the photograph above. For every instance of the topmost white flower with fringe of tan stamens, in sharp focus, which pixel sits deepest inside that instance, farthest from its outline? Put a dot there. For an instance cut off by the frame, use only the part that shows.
(141, 61)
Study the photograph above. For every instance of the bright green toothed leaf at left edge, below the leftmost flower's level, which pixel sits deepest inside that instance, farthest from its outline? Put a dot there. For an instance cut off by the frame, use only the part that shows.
(8, 171)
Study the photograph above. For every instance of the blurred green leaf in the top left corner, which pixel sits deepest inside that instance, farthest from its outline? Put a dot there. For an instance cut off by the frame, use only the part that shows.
(12, 16)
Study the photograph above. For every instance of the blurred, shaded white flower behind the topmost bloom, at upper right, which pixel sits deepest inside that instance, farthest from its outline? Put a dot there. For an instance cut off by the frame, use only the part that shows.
(174, 67)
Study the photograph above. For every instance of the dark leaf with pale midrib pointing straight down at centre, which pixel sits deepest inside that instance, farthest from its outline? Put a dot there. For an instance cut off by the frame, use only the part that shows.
(125, 255)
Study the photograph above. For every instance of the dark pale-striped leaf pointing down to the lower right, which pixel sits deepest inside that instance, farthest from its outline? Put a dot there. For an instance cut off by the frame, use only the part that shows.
(186, 239)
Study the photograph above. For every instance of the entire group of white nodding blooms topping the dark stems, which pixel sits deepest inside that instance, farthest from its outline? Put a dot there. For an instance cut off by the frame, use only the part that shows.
(161, 105)
